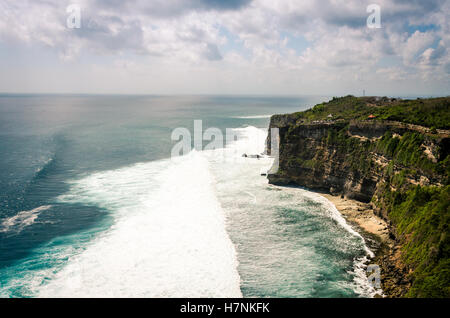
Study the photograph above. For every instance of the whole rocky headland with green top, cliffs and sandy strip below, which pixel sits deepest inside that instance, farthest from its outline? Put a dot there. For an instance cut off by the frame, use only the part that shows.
(385, 165)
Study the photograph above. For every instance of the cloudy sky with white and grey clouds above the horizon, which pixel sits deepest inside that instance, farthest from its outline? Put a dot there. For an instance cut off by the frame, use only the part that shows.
(226, 47)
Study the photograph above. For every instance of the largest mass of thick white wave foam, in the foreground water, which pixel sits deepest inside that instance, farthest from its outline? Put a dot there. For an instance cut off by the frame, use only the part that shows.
(168, 239)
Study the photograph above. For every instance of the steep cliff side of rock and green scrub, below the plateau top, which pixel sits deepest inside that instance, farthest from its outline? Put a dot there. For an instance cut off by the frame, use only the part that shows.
(400, 168)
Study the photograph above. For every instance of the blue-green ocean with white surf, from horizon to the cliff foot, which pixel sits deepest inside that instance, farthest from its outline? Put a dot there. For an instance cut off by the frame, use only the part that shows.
(93, 205)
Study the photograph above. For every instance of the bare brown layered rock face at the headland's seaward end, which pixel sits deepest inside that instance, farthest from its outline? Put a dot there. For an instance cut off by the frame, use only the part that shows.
(308, 158)
